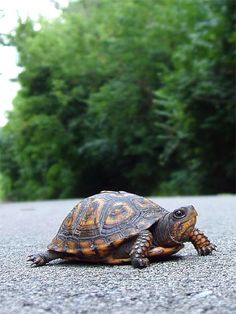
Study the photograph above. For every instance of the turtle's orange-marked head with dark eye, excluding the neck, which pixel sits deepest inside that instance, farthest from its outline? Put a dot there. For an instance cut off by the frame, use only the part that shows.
(181, 223)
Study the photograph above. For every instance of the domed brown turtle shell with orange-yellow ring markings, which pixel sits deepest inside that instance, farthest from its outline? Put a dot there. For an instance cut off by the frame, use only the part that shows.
(104, 221)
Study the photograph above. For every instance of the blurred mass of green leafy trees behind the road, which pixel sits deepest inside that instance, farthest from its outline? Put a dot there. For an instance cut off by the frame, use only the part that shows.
(126, 95)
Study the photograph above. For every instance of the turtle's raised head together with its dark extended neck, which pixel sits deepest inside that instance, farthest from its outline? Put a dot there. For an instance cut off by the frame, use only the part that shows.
(175, 227)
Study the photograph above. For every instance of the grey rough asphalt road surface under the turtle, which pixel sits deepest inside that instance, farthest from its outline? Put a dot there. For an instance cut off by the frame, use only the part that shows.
(185, 283)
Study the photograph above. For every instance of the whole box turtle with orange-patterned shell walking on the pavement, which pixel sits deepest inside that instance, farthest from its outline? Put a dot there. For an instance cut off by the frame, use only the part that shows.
(116, 227)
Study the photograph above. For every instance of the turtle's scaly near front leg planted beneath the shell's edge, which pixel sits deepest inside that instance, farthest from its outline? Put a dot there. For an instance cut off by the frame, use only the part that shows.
(140, 249)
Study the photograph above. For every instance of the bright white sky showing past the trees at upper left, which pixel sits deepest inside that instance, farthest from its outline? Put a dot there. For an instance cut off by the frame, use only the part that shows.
(10, 10)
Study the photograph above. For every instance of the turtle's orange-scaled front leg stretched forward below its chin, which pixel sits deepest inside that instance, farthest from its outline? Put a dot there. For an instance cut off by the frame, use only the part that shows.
(201, 242)
